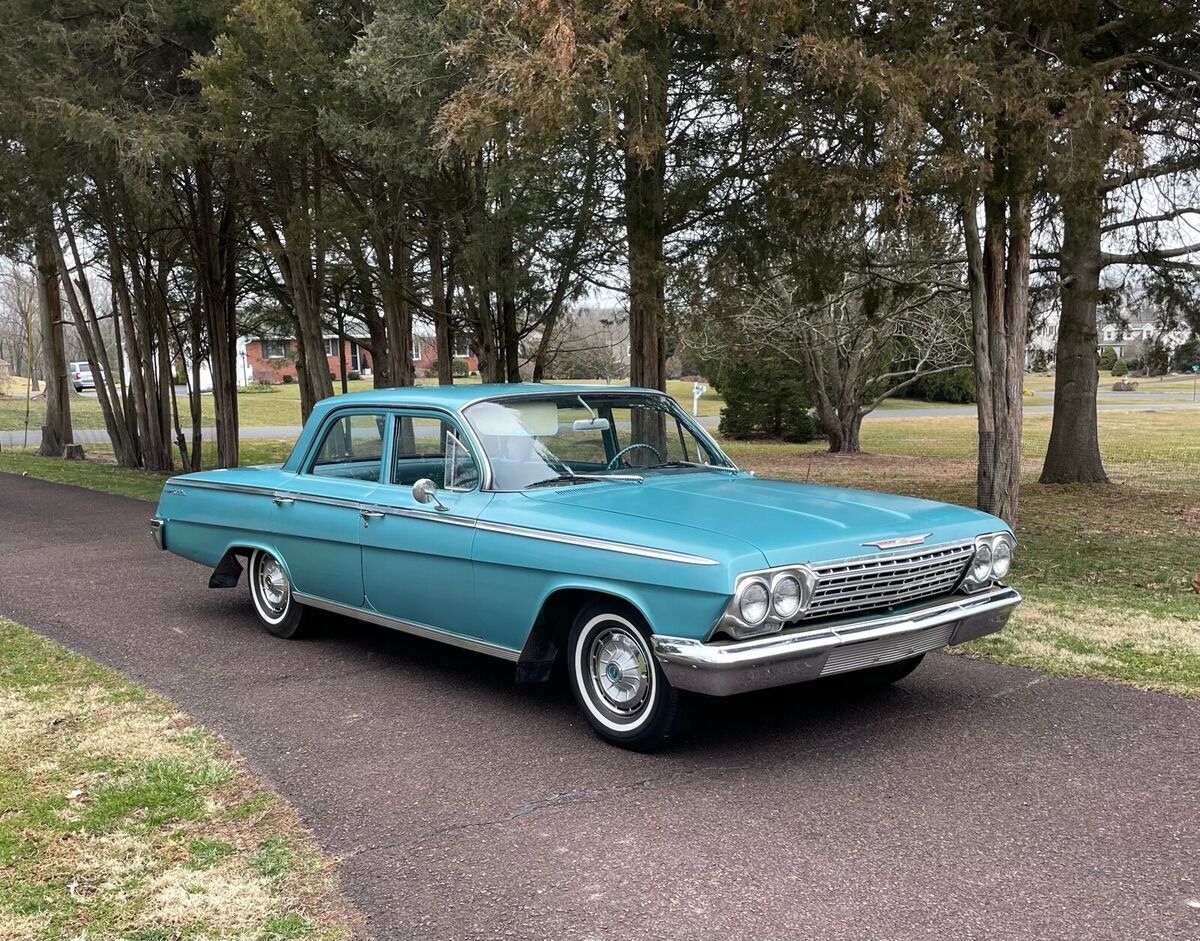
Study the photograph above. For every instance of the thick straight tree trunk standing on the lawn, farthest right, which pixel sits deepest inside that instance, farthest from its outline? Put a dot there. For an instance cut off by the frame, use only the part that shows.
(1075, 453)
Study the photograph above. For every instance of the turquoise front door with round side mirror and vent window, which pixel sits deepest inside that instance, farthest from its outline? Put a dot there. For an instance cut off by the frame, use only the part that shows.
(417, 556)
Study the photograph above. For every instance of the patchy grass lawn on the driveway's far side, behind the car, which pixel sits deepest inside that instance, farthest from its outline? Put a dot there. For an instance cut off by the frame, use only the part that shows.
(1107, 572)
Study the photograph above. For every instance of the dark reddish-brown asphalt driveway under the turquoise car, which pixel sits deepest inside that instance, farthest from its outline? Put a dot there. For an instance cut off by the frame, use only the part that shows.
(971, 801)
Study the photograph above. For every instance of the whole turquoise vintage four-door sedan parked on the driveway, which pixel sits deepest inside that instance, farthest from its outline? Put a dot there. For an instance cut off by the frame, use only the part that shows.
(597, 528)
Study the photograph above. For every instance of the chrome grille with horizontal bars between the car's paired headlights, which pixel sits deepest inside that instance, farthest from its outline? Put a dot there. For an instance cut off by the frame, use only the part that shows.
(874, 583)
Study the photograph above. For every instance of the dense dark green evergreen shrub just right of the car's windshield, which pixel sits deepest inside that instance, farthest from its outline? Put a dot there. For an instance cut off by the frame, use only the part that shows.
(765, 398)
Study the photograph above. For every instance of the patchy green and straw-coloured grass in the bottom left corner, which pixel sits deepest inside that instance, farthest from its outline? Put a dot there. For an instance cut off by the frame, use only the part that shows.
(123, 819)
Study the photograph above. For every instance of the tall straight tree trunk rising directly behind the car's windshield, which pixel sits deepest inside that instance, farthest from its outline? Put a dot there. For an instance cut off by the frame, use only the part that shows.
(646, 229)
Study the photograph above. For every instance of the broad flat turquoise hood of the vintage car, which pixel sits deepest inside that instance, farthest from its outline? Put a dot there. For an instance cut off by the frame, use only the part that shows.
(788, 523)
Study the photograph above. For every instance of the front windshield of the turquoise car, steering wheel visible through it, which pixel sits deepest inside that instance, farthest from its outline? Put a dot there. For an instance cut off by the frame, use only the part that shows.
(578, 439)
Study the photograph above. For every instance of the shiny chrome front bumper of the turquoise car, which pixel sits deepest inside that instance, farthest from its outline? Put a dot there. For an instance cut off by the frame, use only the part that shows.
(725, 668)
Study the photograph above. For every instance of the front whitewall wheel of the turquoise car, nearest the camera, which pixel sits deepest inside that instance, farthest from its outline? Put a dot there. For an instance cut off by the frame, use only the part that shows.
(617, 682)
